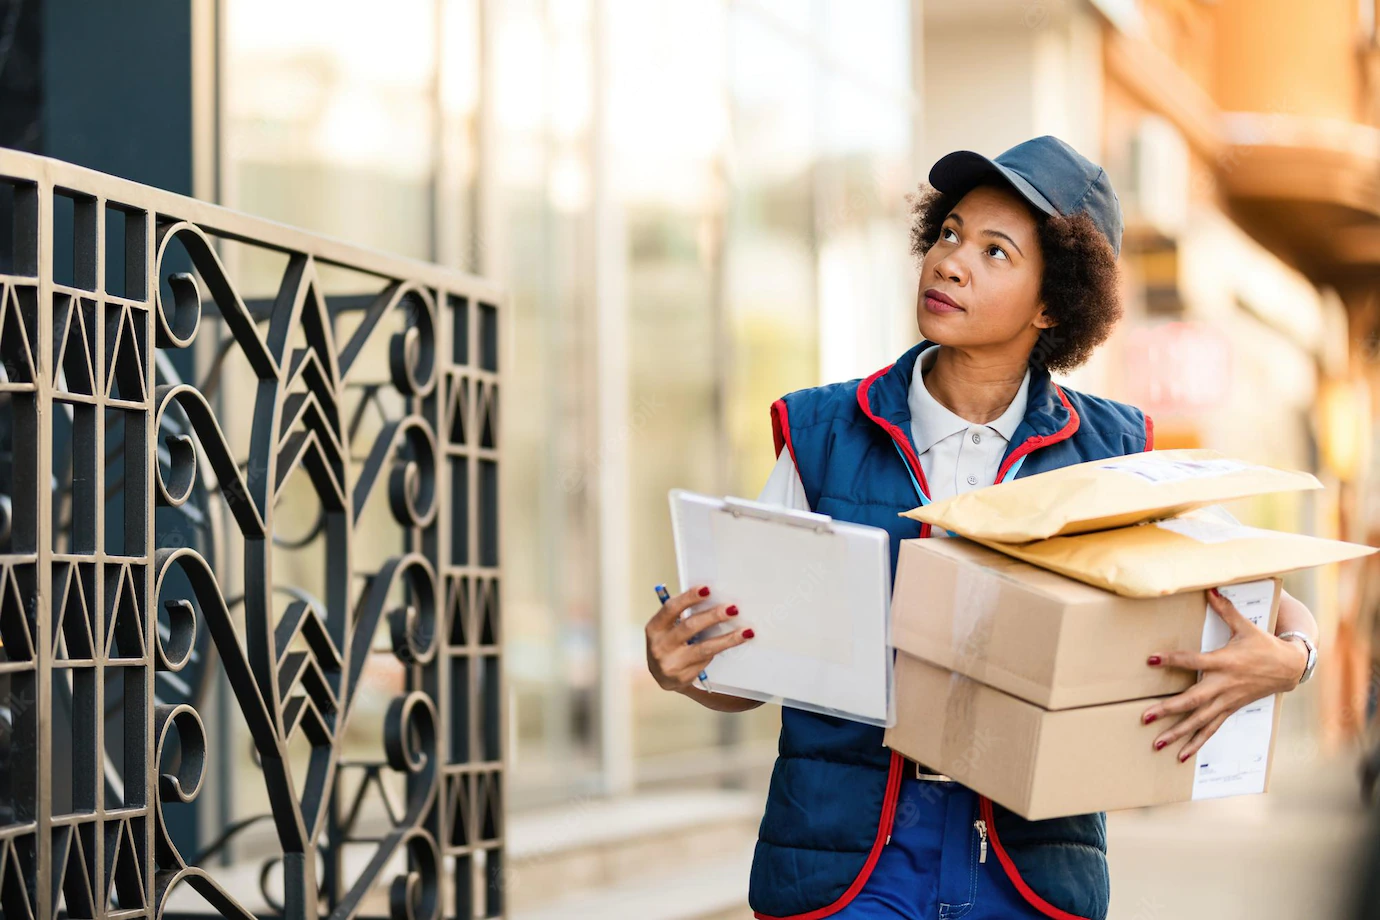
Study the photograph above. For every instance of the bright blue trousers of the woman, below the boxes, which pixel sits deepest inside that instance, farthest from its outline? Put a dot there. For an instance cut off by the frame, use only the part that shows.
(934, 870)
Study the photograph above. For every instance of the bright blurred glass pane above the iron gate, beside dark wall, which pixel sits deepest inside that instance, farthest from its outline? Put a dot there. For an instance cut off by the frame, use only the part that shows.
(331, 122)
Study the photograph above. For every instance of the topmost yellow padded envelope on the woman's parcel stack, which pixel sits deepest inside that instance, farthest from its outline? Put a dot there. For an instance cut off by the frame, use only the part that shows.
(1107, 493)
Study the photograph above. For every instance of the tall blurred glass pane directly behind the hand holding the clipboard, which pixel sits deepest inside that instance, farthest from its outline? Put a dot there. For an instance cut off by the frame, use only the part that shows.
(667, 129)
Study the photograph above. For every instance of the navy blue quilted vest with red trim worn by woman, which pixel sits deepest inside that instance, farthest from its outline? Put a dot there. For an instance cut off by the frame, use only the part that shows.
(834, 788)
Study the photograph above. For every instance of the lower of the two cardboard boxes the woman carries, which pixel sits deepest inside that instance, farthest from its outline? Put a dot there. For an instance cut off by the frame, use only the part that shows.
(1048, 765)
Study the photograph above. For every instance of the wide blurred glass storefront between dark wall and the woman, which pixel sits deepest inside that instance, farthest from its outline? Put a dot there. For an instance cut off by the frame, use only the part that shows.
(696, 208)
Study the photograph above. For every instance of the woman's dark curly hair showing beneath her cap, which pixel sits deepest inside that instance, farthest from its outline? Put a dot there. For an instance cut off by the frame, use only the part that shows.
(1080, 288)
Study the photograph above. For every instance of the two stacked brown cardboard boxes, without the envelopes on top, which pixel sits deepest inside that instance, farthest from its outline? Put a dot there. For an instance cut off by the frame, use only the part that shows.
(1029, 686)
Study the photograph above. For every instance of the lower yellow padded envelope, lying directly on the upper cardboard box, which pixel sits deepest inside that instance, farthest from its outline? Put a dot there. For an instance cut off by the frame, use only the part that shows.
(1190, 552)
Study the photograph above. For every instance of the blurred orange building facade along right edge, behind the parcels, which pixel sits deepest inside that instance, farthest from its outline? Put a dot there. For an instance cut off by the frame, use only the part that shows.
(1247, 139)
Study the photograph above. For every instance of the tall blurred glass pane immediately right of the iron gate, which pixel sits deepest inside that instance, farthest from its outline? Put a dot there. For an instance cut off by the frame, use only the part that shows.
(542, 72)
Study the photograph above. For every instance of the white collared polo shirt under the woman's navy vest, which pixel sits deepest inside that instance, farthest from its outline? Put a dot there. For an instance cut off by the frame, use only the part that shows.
(957, 456)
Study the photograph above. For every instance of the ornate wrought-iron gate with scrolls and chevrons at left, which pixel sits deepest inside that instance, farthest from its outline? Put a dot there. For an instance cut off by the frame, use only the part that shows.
(133, 499)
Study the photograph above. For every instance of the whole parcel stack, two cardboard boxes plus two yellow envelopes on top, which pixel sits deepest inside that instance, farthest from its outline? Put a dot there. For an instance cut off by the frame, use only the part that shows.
(1029, 686)
